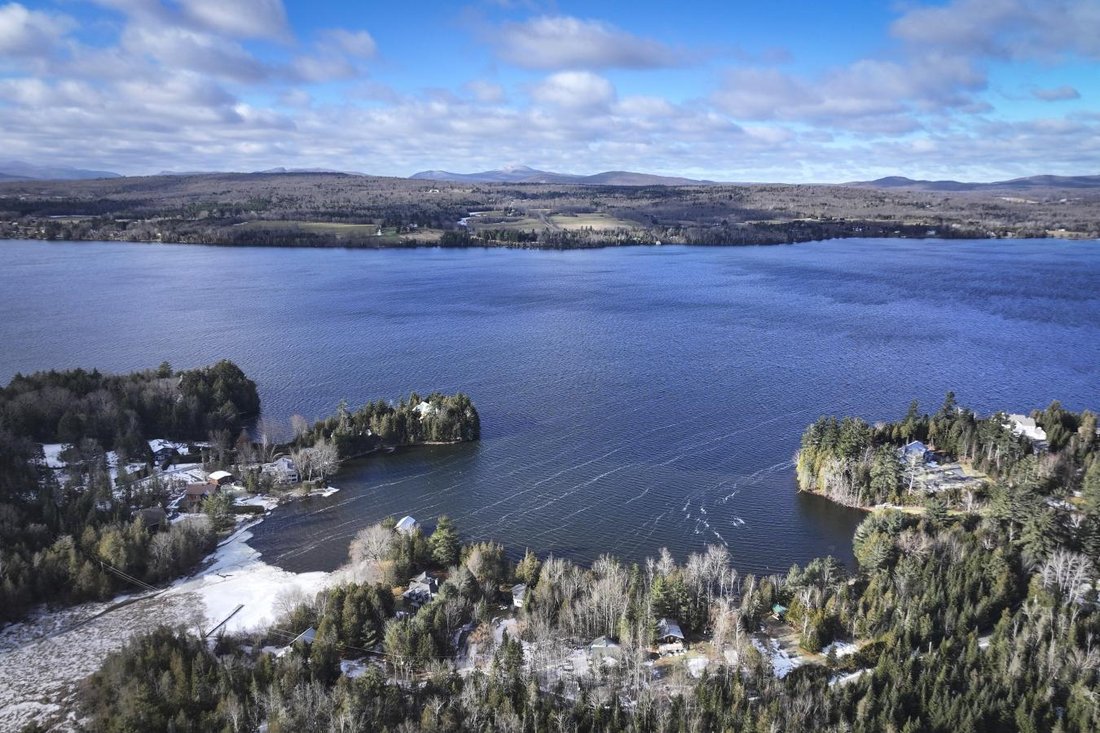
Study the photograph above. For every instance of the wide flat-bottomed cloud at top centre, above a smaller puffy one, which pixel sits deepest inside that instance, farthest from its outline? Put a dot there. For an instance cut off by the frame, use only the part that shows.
(555, 42)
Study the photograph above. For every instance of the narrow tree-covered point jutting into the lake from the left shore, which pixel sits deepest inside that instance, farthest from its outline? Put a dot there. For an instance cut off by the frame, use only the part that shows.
(435, 419)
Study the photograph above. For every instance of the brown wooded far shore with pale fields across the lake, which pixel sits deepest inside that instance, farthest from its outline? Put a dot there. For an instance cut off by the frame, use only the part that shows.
(314, 210)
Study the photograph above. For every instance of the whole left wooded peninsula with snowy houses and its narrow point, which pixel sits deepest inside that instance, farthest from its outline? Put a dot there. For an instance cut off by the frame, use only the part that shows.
(95, 466)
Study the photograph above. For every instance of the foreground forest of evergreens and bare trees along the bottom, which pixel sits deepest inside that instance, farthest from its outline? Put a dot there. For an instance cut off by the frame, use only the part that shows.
(960, 628)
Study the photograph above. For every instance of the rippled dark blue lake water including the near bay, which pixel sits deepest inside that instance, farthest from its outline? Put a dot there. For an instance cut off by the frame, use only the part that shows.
(631, 399)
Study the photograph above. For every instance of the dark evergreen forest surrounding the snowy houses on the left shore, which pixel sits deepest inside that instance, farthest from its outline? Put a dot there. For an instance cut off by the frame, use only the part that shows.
(70, 537)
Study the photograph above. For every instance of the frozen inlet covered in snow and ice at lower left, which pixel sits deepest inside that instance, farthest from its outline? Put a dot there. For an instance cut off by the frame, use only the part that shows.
(43, 659)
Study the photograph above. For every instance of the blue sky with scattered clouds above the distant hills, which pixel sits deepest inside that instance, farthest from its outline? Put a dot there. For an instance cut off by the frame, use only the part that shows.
(786, 92)
